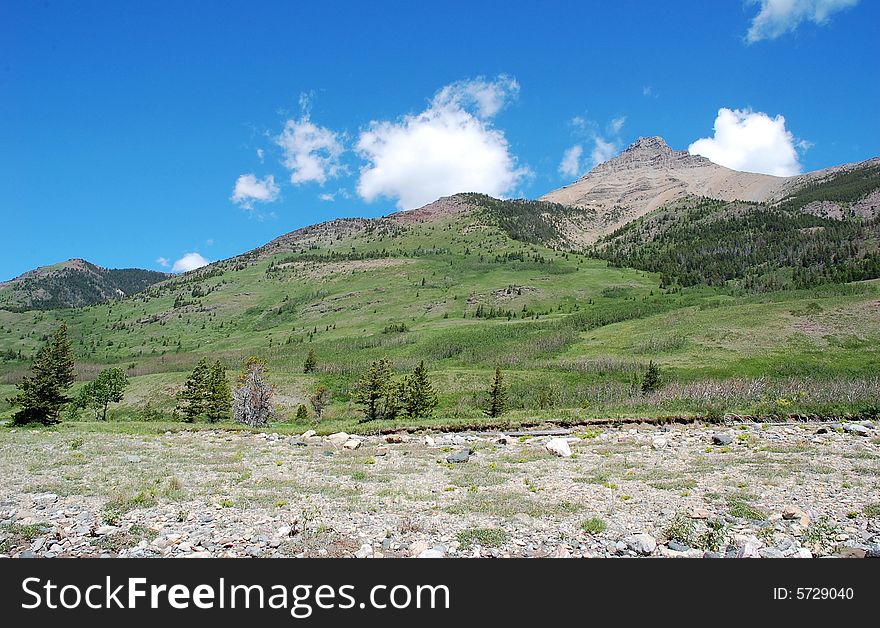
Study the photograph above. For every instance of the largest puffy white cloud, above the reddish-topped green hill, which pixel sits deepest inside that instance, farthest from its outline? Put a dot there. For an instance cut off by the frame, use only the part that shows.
(448, 148)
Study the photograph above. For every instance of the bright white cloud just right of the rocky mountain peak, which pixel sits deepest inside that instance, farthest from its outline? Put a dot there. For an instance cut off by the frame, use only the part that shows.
(751, 141)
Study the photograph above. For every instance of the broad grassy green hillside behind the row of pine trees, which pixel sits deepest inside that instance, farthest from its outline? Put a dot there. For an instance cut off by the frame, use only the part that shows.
(571, 333)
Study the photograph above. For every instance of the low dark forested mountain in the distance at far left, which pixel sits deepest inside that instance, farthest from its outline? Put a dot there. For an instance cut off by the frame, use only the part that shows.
(73, 283)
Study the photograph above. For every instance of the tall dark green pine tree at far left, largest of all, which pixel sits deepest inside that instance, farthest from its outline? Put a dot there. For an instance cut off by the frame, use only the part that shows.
(43, 394)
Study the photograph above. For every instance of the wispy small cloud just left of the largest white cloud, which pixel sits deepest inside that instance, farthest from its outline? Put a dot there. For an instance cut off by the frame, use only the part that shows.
(311, 152)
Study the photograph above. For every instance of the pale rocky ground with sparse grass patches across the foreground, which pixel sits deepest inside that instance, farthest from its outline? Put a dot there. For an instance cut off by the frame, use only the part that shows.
(677, 491)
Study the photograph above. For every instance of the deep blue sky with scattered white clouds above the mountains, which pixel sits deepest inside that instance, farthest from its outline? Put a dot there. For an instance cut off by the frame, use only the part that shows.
(134, 132)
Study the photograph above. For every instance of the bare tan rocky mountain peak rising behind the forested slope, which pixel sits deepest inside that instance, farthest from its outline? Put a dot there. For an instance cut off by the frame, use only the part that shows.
(649, 174)
